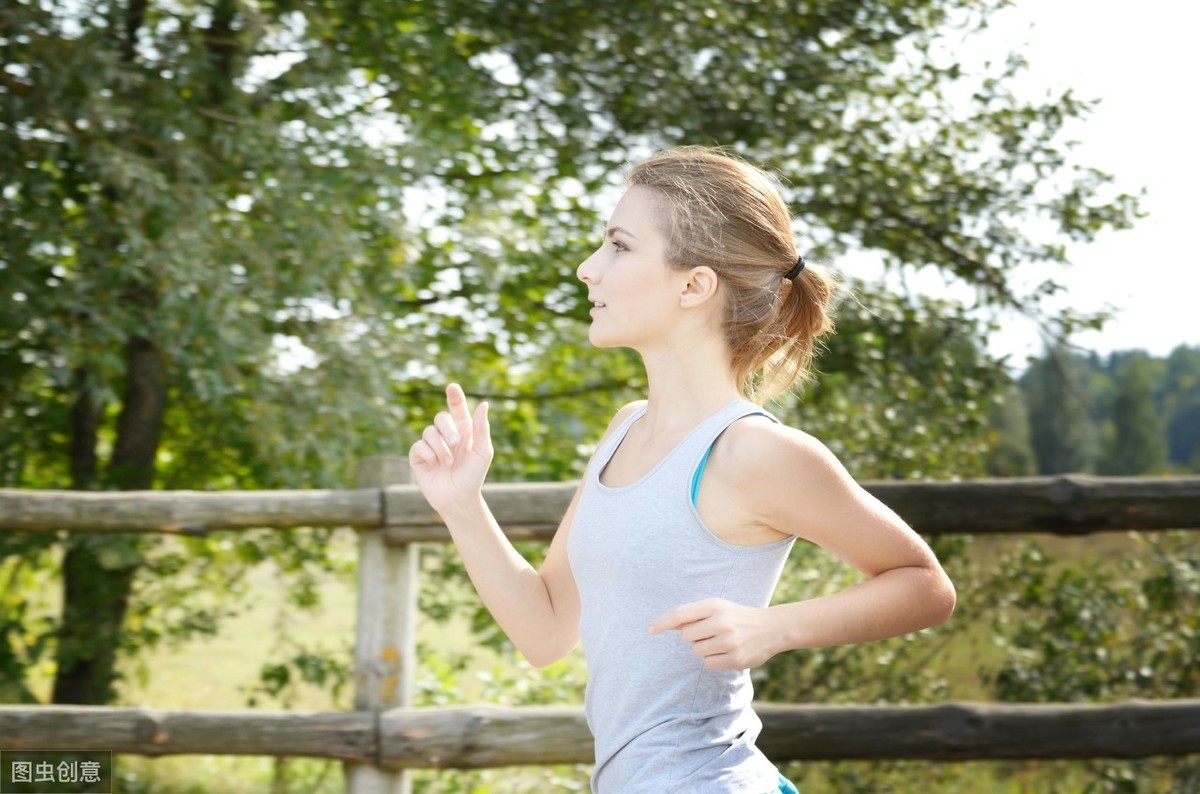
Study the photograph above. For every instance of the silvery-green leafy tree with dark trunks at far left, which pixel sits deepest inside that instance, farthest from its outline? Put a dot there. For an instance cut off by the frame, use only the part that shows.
(166, 231)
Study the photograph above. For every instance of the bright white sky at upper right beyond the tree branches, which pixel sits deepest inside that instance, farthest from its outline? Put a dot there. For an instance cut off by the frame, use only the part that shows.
(1138, 59)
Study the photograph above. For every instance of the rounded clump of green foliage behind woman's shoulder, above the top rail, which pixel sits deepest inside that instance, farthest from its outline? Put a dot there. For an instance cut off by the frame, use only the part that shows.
(904, 389)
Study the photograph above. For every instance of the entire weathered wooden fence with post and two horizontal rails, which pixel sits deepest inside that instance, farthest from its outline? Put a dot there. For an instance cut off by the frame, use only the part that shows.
(385, 736)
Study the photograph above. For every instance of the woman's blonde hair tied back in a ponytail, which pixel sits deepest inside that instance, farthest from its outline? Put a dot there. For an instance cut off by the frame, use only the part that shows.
(721, 212)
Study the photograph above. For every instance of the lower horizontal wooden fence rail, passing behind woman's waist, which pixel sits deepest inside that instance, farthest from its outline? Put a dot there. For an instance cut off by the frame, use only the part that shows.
(489, 737)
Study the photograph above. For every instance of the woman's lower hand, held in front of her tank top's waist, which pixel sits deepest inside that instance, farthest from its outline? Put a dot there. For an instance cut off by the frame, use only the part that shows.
(728, 636)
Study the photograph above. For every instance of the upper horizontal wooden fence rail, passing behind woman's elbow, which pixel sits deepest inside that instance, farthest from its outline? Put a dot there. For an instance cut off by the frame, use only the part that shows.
(1064, 506)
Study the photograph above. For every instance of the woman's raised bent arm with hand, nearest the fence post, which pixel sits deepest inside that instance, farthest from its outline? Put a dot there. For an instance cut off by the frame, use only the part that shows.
(539, 611)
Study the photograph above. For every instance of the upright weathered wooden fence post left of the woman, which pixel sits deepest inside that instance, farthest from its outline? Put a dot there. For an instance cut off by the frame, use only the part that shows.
(386, 635)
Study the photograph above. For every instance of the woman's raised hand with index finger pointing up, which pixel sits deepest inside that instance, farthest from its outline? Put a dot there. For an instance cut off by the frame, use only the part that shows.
(454, 454)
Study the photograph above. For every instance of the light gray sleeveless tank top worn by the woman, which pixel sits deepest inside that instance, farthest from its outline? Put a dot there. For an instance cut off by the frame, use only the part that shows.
(662, 721)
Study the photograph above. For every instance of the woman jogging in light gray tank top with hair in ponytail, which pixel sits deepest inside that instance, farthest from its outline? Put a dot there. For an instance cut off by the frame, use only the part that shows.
(665, 562)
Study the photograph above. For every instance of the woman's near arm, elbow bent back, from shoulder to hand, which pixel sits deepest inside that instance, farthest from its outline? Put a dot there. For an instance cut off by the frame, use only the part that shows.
(795, 485)
